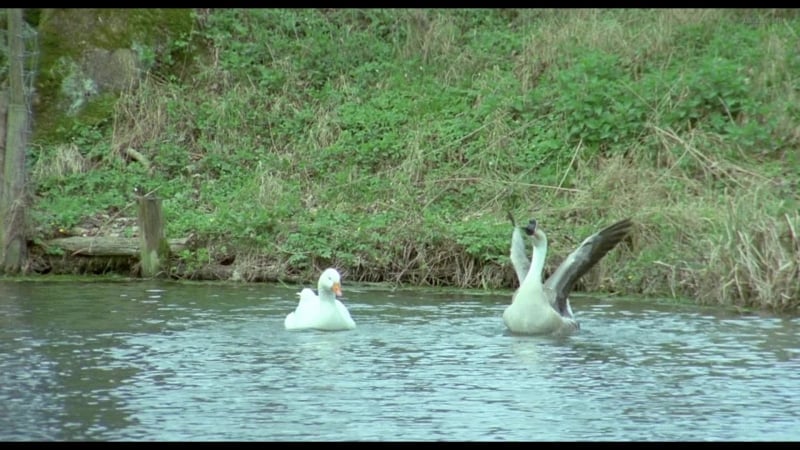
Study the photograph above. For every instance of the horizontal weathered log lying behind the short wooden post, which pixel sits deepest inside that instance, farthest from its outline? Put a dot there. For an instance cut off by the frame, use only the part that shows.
(107, 246)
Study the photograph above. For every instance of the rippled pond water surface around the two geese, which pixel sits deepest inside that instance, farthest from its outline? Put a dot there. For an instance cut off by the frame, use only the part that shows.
(168, 361)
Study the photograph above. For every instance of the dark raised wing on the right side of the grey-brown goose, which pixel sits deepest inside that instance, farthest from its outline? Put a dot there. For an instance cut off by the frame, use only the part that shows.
(591, 250)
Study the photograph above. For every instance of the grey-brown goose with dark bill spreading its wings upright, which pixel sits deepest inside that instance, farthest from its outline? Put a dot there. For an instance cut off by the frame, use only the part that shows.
(538, 308)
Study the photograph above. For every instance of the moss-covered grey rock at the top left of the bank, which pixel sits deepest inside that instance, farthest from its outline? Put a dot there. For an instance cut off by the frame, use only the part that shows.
(87, 55)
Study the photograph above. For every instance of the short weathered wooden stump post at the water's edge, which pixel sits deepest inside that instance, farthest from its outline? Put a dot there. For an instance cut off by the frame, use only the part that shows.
(154, 245)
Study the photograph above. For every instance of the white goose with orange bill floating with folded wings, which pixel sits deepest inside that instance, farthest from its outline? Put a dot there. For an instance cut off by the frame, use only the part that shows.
(323, 311)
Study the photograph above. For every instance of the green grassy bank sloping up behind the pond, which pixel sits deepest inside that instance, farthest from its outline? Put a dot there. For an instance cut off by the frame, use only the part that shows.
(390, 143)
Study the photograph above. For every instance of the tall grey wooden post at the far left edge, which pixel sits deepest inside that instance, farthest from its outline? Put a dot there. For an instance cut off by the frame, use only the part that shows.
(14, 250)
